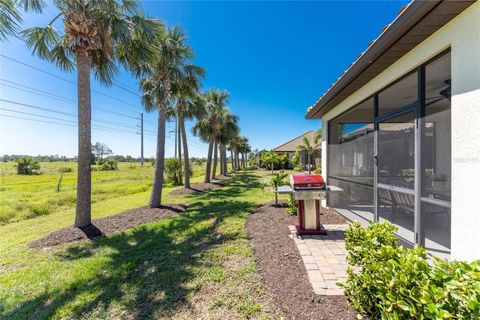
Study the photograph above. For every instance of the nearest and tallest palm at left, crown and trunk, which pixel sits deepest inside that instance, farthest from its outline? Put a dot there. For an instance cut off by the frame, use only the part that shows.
(97, 35)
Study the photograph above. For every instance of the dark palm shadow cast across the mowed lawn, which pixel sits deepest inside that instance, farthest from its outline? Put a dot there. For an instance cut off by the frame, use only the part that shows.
(148, 269)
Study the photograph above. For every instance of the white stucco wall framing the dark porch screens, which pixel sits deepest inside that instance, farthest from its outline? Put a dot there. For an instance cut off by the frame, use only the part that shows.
(462, 35)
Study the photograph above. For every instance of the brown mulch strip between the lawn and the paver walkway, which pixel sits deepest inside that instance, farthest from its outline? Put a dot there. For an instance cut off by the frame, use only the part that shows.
(283, 271)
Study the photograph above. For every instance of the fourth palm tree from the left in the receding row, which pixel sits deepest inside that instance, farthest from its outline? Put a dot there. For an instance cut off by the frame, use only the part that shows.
(208, 127)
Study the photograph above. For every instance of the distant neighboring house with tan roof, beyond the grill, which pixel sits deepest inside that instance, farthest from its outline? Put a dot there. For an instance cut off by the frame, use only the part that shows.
(293, 145)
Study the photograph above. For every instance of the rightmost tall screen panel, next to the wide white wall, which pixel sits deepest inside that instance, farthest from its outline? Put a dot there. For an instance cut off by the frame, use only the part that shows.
(436, 158)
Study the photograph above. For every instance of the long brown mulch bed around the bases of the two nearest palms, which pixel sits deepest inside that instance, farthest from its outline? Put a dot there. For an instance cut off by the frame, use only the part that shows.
(108, 225)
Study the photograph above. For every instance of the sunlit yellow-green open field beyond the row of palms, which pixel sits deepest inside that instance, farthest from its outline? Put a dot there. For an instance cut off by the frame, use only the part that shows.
(26, 197)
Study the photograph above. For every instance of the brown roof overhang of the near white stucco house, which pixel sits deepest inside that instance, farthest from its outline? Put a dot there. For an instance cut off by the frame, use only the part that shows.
(414, 23)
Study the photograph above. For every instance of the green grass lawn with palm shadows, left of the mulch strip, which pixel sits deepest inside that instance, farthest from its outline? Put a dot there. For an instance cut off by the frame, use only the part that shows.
(196, 265)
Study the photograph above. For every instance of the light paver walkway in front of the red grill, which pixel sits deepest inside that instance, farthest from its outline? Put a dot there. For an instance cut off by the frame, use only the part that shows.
(324, 258)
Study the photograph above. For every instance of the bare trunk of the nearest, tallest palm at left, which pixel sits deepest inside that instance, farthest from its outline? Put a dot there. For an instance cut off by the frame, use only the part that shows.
(84, 173)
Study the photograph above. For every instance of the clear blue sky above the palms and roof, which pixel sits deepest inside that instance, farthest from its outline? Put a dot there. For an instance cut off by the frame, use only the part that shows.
(275, 59)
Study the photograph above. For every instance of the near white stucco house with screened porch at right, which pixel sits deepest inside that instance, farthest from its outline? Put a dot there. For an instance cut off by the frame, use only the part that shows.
(401, 129)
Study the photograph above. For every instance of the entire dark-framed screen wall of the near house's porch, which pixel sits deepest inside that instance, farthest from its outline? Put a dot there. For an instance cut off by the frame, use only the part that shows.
(404, 125)
